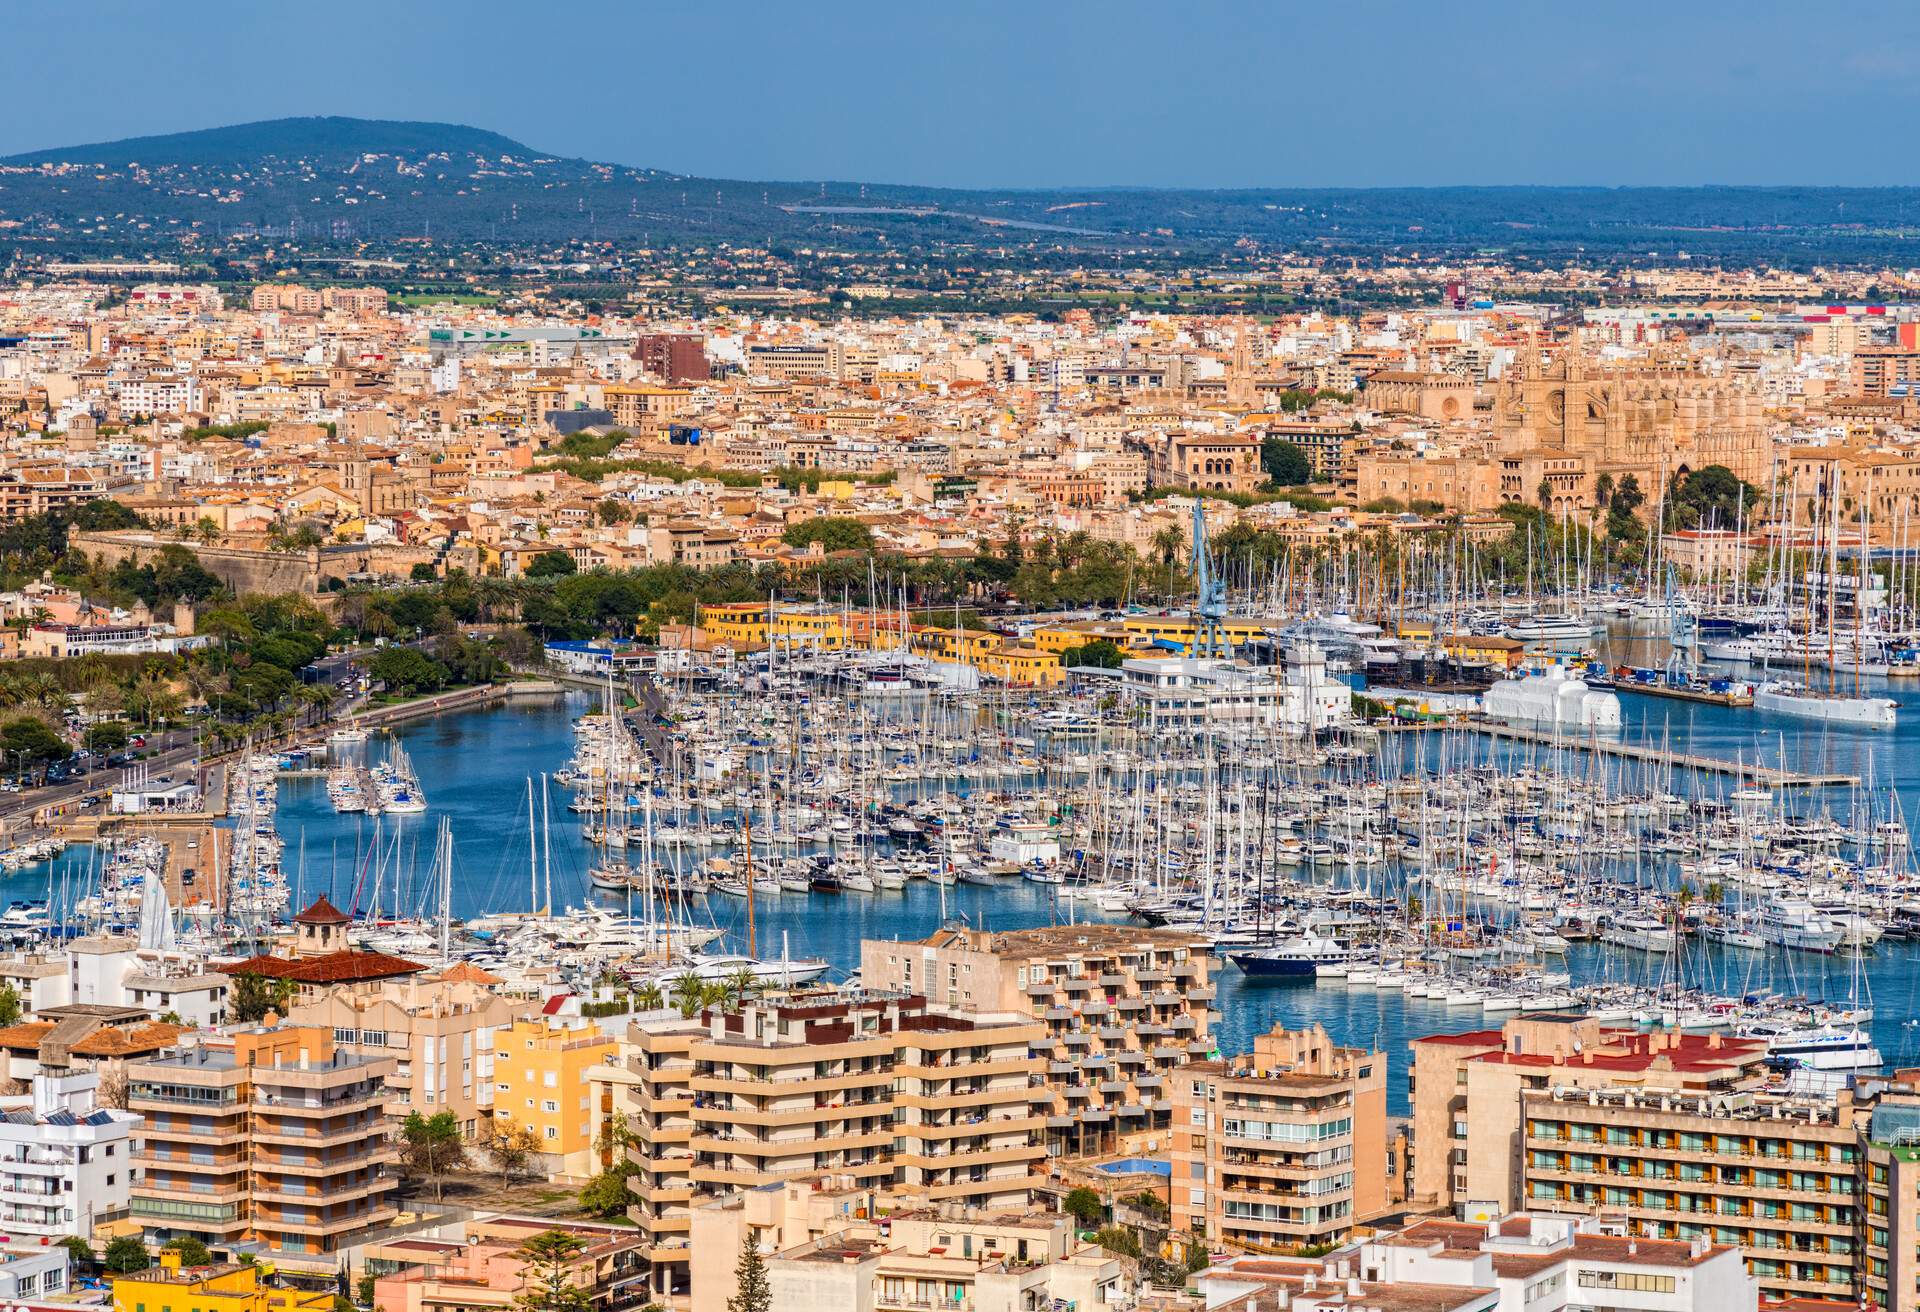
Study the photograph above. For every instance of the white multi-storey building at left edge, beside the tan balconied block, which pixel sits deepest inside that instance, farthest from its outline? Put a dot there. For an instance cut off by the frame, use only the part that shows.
(66, 1165)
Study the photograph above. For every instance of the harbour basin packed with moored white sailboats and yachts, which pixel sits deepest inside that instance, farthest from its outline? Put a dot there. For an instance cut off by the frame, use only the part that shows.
(1339, 869)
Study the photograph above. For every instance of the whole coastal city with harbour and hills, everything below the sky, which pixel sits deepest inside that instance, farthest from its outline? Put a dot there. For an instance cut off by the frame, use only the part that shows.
(590, 739)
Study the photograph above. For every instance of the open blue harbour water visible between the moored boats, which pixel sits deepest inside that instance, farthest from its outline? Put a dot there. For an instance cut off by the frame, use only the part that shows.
(475, 769)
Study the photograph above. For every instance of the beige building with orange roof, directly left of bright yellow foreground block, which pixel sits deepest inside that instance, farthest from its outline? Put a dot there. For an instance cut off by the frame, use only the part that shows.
(439, 1031)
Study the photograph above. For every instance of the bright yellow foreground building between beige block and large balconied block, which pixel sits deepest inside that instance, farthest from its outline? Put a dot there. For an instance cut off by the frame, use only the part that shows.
(540, 1082)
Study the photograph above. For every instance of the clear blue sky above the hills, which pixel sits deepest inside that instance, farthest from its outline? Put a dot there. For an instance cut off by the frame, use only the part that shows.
(1040, 93)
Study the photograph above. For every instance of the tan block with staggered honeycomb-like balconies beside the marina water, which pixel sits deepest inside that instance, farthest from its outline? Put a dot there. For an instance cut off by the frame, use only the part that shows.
(1120, 1009)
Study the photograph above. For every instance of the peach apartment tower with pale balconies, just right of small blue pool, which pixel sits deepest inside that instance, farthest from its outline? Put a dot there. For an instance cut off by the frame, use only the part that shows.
(1280, 1148)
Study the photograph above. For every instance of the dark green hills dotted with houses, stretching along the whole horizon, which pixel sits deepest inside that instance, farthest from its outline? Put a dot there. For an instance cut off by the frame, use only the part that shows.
(362, 182)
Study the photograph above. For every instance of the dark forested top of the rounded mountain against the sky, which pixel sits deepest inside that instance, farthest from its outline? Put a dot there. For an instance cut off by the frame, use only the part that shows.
(320, 139)
